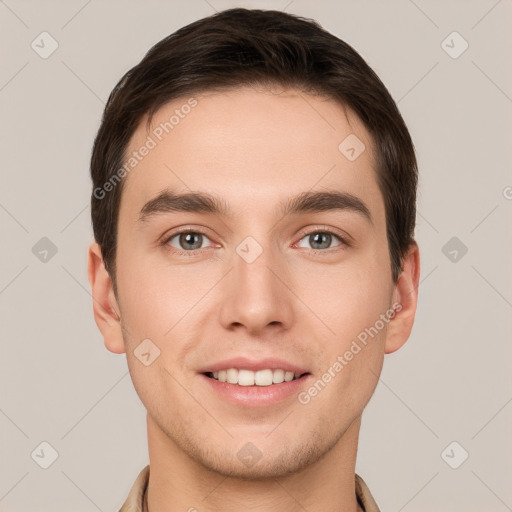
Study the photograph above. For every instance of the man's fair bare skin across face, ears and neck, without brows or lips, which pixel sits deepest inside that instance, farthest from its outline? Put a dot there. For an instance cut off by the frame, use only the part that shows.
(254, 148)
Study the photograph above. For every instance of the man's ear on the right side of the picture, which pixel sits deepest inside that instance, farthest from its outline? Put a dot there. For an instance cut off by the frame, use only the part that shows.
(405, 297)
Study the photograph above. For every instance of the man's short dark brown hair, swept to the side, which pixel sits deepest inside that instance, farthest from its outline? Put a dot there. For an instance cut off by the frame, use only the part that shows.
(240, 47)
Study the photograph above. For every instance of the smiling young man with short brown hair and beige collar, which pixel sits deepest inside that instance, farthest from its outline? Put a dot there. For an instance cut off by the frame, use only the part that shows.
(253, 206)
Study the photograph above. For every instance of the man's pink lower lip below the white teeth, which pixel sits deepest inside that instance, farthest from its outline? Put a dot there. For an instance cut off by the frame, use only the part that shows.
(256, 396)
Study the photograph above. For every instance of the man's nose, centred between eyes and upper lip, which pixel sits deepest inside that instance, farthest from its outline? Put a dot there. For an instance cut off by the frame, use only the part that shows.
(256, 294)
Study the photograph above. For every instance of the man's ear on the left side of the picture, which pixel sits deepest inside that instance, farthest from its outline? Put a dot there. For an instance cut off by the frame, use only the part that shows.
(104, 301)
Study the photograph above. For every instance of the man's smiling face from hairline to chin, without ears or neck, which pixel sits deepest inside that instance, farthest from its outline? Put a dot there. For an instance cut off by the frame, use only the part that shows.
(275, 286)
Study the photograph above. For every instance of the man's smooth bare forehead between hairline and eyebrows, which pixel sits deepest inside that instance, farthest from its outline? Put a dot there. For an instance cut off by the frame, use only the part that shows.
(251, 146)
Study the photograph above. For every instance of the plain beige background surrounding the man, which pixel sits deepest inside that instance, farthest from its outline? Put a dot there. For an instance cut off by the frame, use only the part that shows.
(451, 381)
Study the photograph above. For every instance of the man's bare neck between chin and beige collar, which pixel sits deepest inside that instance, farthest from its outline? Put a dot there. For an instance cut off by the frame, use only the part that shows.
(179, 483)
